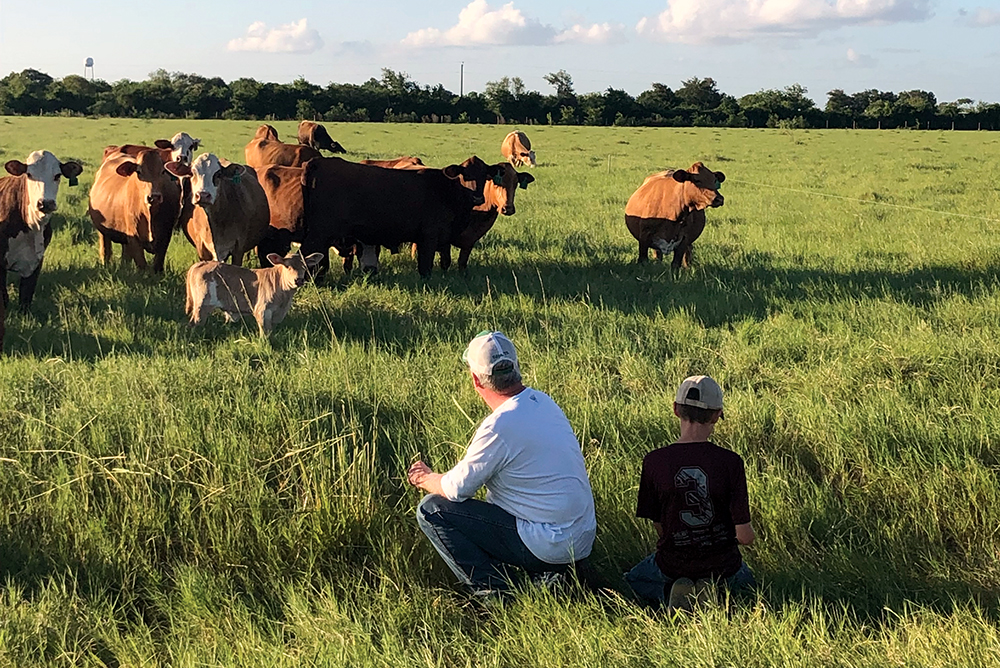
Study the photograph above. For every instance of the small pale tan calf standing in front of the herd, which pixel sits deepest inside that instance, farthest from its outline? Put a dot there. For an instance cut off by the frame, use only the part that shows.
(266, 294)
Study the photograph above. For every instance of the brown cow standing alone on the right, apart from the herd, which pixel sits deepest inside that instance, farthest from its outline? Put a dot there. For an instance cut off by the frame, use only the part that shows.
(667, 212)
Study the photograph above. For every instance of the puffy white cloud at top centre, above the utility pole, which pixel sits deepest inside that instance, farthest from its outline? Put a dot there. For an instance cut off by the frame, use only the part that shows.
(481, 24)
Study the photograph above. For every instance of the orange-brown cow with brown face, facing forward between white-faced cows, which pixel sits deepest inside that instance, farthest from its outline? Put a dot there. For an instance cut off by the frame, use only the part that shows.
(136, 203)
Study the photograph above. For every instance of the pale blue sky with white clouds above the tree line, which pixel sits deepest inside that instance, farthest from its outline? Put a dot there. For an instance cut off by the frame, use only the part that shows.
(951, 47)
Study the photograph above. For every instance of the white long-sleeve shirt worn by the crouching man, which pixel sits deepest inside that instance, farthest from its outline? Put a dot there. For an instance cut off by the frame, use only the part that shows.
(527, 456)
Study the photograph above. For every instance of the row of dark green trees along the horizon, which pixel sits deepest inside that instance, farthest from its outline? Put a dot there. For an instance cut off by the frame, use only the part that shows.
(395, 97)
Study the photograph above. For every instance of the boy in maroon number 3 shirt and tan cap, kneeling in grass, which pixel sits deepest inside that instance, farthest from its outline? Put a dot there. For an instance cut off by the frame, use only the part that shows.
(696, 495)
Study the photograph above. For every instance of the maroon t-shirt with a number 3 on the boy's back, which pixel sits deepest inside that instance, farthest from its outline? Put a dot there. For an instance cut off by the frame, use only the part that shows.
(698, 492)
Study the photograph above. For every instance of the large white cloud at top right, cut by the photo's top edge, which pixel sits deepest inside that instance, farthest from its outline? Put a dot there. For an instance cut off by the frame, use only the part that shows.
(702, 21)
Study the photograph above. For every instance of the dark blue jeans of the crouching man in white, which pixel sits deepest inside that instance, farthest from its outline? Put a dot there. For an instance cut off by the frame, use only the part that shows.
(478, 541)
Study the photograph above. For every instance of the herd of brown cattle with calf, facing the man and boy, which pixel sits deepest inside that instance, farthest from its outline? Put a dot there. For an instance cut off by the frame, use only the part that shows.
(289, 193)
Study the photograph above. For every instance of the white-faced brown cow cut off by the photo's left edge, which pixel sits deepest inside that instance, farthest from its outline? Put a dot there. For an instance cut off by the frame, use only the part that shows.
(27, 199)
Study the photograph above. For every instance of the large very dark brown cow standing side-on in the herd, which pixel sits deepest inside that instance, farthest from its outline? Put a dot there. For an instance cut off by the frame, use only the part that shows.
(348, 203)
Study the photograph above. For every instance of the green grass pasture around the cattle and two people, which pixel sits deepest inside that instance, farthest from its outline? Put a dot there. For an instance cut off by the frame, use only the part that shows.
(205, 498)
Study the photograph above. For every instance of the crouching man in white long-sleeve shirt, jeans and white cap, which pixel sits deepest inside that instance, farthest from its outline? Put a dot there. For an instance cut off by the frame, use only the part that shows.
(539, 510)
